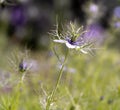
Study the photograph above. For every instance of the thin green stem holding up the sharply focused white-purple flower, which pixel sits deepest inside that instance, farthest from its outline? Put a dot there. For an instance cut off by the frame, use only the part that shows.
(49, 101)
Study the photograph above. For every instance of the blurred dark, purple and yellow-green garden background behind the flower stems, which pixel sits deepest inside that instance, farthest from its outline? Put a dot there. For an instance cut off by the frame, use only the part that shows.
(24, 25)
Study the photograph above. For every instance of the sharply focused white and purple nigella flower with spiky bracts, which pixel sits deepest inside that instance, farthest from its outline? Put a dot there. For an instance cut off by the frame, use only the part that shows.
(73, 38)
